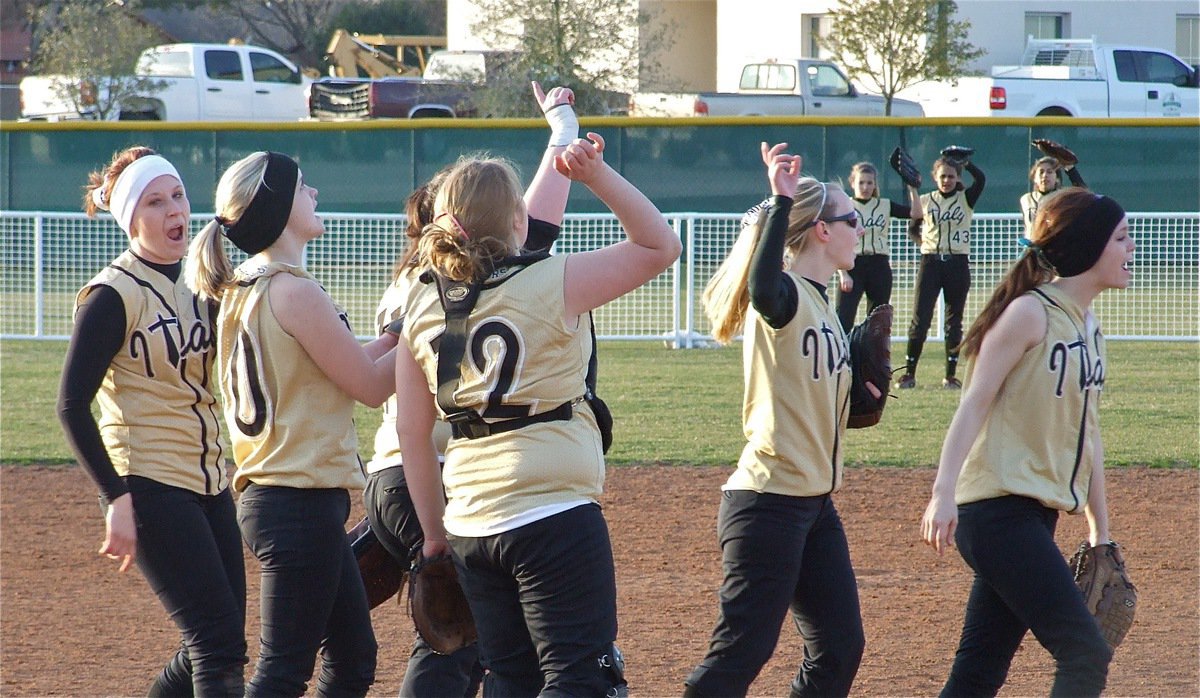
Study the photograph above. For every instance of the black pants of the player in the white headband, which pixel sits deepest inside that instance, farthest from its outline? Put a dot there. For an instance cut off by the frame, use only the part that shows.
(190, 553)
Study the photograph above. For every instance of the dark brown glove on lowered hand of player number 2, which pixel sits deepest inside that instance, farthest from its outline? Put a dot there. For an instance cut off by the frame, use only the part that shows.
(439, 606)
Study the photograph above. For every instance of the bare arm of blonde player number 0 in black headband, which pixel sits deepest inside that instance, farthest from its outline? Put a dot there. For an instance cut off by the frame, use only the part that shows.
(307, 312)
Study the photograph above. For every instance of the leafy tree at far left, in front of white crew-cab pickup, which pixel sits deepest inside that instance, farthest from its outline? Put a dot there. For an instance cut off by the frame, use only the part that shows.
(89, 50)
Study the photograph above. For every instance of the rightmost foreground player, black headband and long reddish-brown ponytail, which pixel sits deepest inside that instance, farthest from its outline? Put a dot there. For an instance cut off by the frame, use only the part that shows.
(1025, 446)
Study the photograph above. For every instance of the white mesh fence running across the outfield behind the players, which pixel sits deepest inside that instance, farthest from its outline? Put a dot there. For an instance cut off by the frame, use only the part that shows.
(46, 258)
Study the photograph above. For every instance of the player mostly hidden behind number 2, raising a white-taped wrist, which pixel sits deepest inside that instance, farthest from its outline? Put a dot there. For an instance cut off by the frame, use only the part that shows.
(387, 500)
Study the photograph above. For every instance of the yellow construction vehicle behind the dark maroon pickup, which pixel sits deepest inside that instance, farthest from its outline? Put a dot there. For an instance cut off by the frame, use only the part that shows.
(351, 56)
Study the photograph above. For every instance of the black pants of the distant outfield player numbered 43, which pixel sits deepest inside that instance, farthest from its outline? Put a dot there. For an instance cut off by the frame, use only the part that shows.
(951, 276)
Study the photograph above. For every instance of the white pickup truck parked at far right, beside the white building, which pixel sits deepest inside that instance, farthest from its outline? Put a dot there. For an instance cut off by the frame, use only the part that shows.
(1079, 79)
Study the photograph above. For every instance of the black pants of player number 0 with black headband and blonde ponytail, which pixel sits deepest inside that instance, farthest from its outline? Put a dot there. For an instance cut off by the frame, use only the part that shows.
(313, 595)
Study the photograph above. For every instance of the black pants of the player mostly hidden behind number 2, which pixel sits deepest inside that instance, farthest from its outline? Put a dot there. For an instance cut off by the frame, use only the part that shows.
(394, 521)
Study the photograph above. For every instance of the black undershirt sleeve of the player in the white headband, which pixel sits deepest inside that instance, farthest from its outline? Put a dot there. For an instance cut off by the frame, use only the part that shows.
(97, 339)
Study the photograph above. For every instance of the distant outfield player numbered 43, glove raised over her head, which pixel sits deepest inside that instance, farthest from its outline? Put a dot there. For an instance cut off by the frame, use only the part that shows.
(944, 268)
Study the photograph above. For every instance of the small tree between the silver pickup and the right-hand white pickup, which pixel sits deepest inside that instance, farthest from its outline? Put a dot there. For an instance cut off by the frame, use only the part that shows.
(893, 45)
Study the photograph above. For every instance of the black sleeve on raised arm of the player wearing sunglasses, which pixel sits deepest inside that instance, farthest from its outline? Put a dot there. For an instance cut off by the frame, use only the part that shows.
(771, 292)
